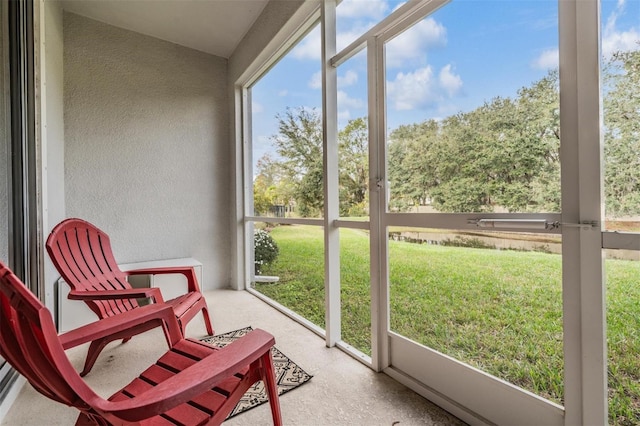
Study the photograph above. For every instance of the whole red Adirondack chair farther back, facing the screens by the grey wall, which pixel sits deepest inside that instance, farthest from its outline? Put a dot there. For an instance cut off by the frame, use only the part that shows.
(82, 255)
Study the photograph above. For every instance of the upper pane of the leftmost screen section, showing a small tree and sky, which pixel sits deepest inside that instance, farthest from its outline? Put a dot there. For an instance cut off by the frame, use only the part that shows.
(286, 117)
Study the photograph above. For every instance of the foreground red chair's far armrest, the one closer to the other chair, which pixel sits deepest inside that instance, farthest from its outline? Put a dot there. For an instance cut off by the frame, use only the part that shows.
(105, 327)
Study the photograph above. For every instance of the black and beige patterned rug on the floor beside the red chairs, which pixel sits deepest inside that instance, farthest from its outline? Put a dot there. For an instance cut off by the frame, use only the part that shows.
(288, 374)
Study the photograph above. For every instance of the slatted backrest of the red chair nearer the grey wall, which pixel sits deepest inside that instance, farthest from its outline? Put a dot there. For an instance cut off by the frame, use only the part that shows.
(82, 255)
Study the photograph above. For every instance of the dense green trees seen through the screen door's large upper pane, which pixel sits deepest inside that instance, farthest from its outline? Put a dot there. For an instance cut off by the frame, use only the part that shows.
(504, 153)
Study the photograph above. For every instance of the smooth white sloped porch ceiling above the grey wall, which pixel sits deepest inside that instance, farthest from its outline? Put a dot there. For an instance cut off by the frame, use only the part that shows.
(212, 26)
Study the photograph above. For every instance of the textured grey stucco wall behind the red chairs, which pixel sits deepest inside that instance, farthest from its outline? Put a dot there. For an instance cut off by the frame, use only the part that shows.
(147, 155)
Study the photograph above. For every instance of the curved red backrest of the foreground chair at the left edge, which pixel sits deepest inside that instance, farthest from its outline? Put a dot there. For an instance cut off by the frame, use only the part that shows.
(29, 342)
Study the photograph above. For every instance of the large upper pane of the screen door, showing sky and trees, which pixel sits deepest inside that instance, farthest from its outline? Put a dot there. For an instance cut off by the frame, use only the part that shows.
(473, 110)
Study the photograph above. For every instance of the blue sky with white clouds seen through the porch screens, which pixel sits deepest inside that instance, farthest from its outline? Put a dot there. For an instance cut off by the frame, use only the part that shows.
(467, 52)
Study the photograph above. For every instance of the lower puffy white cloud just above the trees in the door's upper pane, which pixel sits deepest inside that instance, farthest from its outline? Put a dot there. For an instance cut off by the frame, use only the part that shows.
(422, 89)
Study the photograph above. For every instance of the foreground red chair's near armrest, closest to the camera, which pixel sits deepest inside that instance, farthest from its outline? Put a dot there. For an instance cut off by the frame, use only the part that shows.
(194, 380)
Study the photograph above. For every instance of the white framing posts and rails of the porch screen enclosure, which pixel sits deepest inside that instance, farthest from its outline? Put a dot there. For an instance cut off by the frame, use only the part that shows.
(582, 215)
